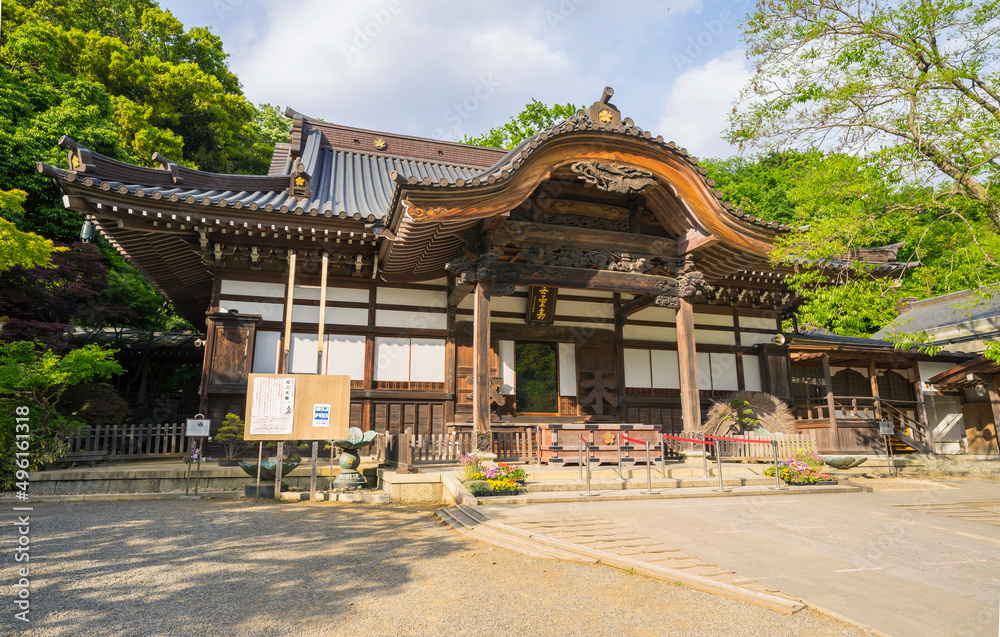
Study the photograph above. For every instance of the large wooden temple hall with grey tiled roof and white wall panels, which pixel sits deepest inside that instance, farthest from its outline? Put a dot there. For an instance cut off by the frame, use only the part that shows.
(591, 274)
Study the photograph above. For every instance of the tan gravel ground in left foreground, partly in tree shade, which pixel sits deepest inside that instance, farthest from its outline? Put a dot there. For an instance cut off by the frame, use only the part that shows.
(219, 567)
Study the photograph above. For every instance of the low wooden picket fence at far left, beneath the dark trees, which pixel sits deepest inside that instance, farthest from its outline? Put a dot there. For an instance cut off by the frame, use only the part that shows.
(121, 442)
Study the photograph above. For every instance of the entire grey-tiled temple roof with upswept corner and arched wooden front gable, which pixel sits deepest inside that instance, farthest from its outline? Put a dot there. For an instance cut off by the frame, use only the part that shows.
(179, 226)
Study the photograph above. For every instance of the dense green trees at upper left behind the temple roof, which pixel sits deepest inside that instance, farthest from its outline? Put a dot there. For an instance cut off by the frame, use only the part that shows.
(124, 78)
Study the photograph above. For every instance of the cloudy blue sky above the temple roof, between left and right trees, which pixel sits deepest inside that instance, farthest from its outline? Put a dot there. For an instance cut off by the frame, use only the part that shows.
(445, 69)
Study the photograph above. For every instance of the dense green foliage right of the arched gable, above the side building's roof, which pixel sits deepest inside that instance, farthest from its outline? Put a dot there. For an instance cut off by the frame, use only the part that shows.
(838, 204)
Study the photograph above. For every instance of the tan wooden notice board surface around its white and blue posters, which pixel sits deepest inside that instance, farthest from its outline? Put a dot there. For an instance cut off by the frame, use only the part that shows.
(310, 390)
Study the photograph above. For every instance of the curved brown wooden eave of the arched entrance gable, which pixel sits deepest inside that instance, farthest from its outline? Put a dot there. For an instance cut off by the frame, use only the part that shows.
(427, 218)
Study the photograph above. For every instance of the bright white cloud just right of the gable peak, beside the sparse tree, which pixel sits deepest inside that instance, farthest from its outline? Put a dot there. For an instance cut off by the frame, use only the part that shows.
(699, 102)
